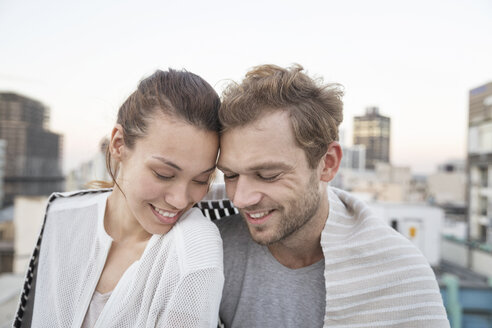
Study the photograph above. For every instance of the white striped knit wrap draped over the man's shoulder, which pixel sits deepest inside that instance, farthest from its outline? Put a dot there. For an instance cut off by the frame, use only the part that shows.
(374, 277)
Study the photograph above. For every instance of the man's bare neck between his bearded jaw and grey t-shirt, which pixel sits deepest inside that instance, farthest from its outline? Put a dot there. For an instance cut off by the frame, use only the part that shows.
(303, 248)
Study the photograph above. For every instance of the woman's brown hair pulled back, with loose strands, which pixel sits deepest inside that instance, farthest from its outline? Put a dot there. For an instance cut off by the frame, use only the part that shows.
(178, 94)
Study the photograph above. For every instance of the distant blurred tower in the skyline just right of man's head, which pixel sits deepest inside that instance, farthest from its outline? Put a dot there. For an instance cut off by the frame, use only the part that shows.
(373, 131)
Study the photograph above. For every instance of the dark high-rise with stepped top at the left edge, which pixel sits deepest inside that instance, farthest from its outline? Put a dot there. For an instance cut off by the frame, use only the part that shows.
(33, 153)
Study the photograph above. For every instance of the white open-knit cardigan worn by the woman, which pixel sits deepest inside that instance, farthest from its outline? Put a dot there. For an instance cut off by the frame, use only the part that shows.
(176, 283)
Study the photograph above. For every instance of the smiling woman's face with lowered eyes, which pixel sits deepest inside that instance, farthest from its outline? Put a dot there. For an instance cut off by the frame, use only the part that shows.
(166, 172)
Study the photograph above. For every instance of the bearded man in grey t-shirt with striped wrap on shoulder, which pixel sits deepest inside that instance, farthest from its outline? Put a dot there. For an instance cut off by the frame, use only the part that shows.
(301, 254)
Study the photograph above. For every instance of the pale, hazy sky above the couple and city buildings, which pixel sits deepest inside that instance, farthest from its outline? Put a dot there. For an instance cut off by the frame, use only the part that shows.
(415, 60)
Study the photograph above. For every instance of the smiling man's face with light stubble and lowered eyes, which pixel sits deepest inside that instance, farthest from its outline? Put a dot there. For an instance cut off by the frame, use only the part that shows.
(268, 178)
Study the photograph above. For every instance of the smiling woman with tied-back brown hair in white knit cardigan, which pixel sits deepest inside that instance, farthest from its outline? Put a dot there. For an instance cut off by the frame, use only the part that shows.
(138, 255)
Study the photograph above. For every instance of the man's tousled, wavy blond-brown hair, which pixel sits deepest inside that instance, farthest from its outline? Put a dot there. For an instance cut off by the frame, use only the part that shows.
(315, 108)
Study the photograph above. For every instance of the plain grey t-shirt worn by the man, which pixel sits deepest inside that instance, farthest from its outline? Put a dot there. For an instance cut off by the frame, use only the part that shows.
(261, 292)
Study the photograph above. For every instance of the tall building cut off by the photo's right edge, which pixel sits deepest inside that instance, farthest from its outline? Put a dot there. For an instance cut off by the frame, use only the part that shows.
(479, 192)
